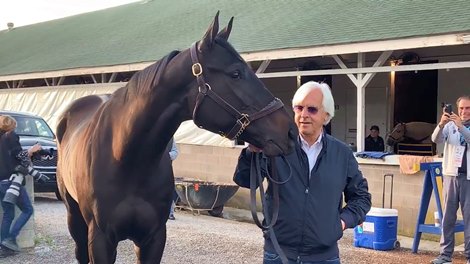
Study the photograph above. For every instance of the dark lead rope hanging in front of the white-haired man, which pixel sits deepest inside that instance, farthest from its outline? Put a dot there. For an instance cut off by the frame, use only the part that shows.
(255, 176)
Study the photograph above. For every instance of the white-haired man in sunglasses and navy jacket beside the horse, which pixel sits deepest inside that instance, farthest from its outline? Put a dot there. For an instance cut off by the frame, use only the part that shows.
(311, 212)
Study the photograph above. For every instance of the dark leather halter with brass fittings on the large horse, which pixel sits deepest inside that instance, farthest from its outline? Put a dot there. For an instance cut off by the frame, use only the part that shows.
(242, 119)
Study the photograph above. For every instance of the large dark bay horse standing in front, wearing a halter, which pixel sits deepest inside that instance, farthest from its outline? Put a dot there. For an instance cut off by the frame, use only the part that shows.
(114, 171)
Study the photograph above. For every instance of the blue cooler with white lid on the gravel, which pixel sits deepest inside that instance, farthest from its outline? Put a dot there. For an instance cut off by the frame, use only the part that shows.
(379, 231)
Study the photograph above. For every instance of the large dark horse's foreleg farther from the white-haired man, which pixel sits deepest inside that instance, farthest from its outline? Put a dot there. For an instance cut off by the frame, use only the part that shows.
(102, 249)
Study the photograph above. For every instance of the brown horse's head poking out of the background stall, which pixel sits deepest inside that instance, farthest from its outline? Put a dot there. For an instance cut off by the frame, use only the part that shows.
(412, 132)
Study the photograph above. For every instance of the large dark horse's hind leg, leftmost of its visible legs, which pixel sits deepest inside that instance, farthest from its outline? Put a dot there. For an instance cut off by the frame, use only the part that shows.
(78, 229)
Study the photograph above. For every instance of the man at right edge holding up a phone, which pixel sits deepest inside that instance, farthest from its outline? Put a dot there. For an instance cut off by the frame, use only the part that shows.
(454, 131)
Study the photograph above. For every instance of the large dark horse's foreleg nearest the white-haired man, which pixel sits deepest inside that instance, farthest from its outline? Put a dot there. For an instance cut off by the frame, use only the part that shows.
(152, 251)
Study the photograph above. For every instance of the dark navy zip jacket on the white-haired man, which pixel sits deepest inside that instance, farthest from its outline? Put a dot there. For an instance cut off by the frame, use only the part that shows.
(310, 213)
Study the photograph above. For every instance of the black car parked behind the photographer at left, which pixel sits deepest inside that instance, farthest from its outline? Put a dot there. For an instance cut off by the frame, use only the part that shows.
(33, 129)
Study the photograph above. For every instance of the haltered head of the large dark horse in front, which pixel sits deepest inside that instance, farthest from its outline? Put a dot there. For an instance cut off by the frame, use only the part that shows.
(231, 100)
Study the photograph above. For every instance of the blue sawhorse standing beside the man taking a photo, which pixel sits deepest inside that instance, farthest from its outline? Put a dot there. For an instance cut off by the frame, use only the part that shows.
(431, 177)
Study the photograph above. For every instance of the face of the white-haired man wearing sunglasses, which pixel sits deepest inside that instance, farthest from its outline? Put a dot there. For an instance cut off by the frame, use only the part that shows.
(309, 115)
